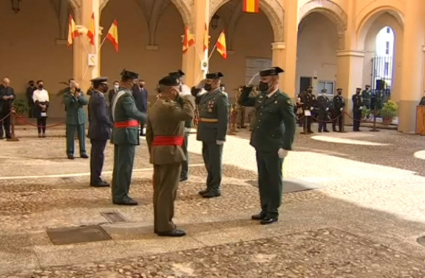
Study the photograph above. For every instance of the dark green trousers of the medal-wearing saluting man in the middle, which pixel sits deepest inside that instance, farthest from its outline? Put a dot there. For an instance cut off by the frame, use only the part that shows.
(212, 153)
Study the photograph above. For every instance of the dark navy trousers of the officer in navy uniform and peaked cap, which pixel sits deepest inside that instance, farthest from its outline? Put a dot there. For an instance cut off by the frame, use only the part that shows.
(97, 158)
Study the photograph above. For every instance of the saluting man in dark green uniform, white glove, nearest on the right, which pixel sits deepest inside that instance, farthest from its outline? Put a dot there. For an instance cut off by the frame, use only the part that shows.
(272, 137)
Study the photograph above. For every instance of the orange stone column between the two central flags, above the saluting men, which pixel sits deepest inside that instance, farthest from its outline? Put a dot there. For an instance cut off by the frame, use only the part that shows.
(192, 60)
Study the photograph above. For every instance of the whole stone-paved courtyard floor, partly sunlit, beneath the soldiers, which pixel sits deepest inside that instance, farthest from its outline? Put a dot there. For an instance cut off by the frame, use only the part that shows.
(362, 222)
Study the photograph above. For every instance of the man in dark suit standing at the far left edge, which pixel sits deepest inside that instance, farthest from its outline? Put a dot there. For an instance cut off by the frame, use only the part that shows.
(7, 96)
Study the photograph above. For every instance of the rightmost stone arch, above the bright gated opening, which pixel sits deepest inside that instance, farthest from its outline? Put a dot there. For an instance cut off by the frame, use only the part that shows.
(370, 13)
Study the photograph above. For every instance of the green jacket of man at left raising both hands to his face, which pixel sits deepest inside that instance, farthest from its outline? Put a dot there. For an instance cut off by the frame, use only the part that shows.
(74, 107)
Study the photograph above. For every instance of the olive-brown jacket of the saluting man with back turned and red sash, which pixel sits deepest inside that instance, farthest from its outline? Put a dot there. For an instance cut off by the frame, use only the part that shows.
(167, 118)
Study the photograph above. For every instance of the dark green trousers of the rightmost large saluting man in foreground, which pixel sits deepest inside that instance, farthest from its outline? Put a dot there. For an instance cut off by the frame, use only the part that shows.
(270, 183)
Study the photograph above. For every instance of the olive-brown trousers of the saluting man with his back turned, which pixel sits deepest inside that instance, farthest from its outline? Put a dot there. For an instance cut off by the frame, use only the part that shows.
(165, 183)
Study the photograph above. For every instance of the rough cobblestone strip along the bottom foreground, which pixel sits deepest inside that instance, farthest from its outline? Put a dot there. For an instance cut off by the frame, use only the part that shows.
(322, 253)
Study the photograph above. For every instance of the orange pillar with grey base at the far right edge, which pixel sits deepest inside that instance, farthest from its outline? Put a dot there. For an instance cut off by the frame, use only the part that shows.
(412, 68)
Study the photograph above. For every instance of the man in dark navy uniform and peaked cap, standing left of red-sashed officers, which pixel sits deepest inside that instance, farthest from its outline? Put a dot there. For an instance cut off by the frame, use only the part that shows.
(99, 130)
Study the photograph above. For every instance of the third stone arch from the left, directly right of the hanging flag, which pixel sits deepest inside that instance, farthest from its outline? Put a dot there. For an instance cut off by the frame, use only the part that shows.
(329, 9)
